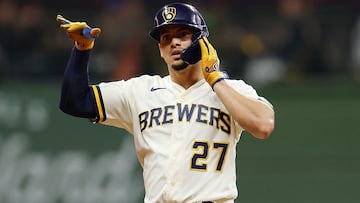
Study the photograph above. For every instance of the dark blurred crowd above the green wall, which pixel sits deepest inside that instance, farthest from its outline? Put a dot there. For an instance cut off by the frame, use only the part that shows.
(262, 41)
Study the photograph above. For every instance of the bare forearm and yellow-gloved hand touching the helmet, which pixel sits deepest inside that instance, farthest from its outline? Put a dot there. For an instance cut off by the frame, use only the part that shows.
(255, 116)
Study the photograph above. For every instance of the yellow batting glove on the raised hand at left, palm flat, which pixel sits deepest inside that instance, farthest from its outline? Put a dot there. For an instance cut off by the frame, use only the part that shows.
(83, 35)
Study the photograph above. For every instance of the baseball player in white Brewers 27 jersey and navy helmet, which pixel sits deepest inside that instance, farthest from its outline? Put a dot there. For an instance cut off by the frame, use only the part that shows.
(185, 125)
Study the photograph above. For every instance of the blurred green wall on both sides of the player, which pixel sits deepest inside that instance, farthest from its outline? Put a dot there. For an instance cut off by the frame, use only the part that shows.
(312, 156)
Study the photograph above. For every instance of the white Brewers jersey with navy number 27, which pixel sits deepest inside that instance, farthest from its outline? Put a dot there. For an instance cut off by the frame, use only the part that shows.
(185, 139)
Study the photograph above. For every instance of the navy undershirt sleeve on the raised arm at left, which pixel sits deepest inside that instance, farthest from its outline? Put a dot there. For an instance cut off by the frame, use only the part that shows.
(76, 94)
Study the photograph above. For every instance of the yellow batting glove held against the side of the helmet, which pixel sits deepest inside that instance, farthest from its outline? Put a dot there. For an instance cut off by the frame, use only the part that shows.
(210, 63)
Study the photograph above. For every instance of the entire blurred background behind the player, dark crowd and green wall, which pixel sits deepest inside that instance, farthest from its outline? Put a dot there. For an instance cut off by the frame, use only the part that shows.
(303, 55)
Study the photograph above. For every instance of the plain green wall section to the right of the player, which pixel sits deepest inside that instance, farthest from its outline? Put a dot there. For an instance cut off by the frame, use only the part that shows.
(313, 155)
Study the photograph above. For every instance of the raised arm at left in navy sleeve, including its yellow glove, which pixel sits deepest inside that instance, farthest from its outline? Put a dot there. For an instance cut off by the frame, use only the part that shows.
(76, 94)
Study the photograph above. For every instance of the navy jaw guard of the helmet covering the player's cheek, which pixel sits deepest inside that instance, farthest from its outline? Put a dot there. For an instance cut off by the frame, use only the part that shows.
(192, 54)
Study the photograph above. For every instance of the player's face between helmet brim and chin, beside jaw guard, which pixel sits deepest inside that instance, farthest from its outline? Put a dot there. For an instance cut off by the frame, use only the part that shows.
(173, 39)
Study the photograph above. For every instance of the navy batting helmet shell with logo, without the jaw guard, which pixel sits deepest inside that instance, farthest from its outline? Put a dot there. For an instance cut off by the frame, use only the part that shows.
(178, 14)
